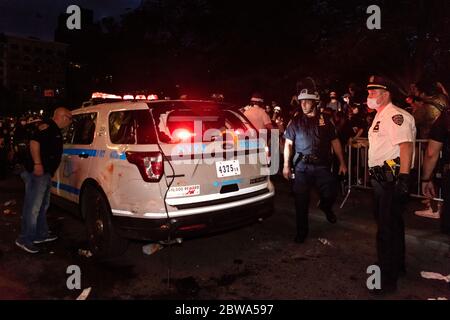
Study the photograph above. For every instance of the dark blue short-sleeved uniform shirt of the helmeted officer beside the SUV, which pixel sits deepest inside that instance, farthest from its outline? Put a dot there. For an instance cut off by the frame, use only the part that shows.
(316, 141)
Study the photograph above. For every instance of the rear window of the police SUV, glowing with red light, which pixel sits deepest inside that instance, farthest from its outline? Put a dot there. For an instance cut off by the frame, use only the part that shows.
(175, 121)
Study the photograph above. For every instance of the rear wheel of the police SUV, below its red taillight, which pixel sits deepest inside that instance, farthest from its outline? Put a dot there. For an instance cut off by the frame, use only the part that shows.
(103, 240)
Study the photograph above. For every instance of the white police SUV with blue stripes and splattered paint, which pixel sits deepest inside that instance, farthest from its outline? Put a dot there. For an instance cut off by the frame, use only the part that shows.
(161, 170)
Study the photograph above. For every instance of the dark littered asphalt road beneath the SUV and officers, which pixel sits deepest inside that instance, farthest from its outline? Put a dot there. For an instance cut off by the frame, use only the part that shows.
(256, 262)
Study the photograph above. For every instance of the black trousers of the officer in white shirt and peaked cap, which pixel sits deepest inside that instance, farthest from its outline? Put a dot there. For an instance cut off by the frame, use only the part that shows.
(388, 210)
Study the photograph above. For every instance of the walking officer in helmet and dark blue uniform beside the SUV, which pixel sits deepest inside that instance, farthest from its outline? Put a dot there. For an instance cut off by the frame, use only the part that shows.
(309, 139)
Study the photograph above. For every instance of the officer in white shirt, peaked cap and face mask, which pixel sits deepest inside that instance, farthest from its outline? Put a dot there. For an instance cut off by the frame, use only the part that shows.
(391, 147)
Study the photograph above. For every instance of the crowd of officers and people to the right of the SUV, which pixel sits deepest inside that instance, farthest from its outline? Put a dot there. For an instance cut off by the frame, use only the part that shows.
(318, 129)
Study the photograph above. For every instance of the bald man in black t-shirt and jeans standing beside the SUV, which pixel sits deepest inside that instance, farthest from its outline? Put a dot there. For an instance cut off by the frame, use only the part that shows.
(46, 147)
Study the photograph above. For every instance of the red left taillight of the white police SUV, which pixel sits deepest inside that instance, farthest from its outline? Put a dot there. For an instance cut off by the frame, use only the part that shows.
(150, 164)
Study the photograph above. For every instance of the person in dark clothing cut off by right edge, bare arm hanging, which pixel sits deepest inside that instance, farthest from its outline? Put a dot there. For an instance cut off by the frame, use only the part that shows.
(439, 139)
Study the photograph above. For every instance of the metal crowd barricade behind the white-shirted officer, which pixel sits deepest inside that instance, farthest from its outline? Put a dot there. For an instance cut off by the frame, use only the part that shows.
(358, 173)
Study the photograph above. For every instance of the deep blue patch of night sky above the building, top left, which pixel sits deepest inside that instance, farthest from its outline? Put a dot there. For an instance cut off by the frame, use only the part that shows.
(38, 18)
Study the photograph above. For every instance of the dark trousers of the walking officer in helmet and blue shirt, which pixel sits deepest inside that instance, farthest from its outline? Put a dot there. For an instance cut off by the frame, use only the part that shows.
(307, 176)
